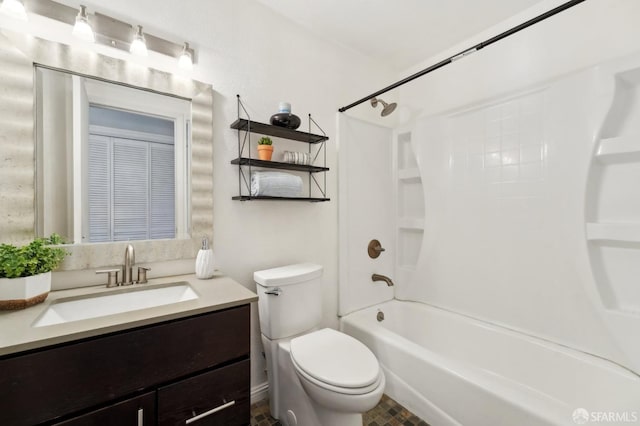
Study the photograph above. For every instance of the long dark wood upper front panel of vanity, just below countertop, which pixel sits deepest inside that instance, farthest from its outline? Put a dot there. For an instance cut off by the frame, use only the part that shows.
(89, 373)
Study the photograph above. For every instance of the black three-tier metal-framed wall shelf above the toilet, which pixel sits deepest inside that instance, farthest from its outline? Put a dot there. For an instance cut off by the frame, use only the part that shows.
(246, 164)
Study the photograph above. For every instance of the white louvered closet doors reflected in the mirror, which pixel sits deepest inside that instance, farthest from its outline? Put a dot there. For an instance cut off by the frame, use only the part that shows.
(132, 194)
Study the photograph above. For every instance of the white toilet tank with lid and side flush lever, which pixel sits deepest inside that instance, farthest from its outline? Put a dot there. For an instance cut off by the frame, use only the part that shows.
(289, 299)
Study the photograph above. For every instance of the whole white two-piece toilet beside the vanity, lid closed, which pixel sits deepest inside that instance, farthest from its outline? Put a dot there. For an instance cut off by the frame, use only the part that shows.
(316, 377)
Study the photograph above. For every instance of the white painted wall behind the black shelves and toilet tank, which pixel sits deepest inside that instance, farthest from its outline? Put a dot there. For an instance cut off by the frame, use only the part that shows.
(244, 48)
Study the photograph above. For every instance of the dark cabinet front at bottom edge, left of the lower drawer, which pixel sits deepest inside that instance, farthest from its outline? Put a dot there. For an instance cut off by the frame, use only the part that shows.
(138, 411)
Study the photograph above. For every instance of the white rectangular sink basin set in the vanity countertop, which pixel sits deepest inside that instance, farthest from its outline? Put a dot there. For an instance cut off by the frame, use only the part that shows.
(116, 302)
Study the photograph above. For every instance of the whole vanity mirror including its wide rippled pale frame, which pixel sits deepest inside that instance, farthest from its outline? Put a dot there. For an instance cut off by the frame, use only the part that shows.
(100, 79)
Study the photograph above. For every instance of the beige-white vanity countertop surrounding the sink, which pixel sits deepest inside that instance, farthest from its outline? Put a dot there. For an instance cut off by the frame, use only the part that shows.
(17, 333)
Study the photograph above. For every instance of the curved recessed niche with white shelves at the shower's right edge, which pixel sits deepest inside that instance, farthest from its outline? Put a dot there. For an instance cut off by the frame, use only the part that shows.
(613, 204)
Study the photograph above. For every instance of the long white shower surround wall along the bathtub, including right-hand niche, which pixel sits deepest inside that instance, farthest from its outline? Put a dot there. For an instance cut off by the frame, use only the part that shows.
(505, 237)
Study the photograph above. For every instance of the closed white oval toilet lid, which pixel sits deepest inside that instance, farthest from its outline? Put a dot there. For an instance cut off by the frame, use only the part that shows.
(335, 358)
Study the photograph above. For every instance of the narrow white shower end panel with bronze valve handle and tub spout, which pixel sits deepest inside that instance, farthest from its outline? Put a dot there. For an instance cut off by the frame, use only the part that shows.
(364, 173)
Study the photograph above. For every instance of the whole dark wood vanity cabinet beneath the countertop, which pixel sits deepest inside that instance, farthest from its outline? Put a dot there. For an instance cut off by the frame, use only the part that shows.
(193, 370)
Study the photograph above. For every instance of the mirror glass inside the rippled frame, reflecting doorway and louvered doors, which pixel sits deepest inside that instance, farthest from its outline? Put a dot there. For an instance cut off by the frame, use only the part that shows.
(111, 160)
